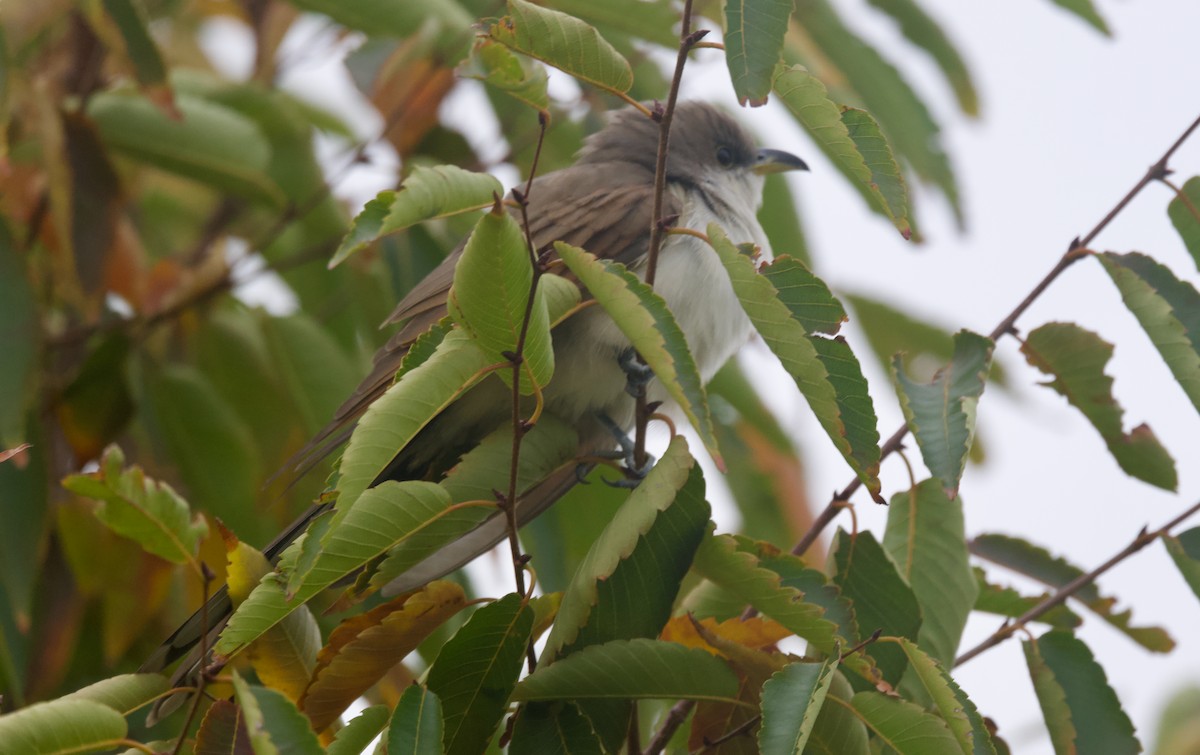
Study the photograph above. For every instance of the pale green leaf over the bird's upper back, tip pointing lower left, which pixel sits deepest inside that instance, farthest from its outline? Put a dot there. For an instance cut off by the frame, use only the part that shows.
(428, 194)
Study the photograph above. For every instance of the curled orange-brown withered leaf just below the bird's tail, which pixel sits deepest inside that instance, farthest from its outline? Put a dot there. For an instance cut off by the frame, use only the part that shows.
(364, 648)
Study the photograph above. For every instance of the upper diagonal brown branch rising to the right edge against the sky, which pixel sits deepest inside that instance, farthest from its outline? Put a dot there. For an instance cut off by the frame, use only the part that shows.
(1077, 250)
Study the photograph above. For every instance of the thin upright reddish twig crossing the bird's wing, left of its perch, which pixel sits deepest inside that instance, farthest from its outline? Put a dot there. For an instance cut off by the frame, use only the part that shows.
(520, 427)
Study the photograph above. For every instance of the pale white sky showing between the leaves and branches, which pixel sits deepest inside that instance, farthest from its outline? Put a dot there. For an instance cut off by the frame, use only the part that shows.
(1071, 121)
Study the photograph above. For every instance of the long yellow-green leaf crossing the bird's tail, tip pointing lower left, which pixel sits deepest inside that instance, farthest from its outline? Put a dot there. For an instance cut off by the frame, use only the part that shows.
(383, 518)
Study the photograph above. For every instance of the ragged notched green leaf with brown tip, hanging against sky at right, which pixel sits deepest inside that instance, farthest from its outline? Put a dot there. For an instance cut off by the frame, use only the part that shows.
(1076, 359)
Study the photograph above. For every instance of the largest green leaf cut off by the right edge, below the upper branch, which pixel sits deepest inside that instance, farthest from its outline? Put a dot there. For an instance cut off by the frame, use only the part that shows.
(1169, 313)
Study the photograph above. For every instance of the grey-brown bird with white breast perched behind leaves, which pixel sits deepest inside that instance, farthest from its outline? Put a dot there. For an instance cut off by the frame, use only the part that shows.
(603, 203)
